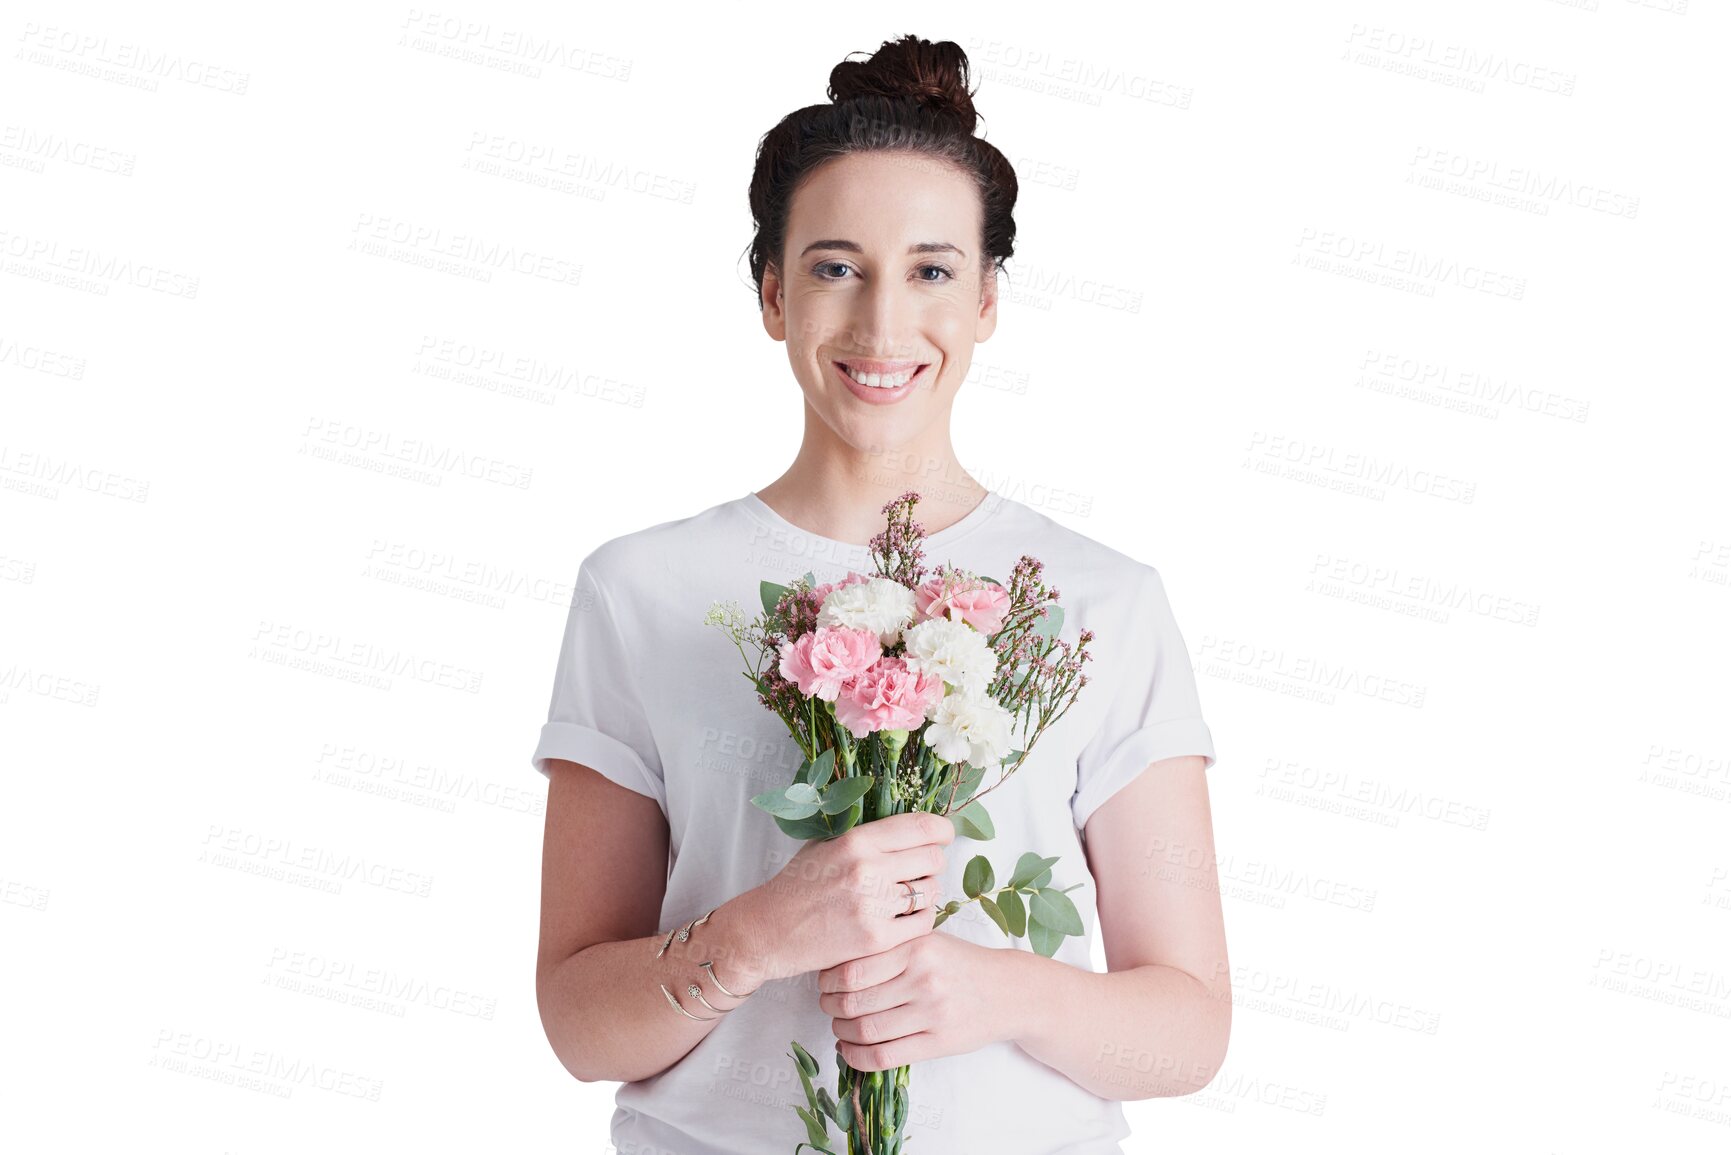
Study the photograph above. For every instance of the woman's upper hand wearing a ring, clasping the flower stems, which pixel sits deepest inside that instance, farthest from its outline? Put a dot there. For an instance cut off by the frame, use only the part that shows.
(842, 898)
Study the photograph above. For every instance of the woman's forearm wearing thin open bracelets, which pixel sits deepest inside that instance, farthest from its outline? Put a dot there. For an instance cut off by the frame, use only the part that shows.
(603, 1009)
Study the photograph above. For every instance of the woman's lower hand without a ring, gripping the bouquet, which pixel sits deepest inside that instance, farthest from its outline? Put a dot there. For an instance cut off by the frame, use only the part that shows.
(927, 998)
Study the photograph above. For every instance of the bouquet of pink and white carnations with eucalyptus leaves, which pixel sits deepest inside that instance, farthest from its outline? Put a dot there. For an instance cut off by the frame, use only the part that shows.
(904, 694)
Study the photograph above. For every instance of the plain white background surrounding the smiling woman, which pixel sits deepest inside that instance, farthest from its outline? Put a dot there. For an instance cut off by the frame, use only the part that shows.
(1391, 333)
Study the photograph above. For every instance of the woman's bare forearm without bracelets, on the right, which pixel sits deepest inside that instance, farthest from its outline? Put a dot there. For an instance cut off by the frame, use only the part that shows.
(1131, 1035)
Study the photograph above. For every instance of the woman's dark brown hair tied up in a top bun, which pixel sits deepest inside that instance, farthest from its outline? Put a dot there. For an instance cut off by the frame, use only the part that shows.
(911, 96)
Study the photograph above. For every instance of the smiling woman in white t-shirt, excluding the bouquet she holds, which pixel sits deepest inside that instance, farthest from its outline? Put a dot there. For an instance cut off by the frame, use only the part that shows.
(882, 224)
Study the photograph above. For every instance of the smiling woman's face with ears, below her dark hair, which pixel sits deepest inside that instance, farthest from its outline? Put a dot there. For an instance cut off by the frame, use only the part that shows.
(884, 276)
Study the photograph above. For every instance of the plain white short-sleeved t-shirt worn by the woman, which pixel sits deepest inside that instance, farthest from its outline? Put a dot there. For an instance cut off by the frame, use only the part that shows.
(652, 697)
